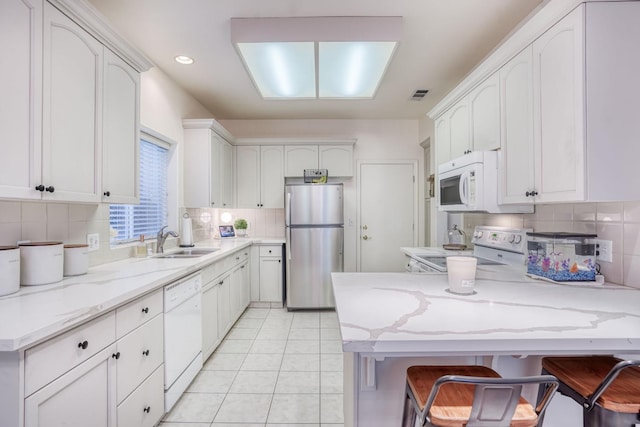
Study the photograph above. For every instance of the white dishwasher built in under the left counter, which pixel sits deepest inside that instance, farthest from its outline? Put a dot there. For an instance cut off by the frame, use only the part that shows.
(182, 336)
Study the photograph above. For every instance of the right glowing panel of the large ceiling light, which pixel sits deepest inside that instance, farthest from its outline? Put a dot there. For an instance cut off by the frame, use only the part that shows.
(352, 69)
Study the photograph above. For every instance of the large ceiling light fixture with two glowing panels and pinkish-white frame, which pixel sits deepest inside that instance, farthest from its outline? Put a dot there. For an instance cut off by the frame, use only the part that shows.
(316, 57)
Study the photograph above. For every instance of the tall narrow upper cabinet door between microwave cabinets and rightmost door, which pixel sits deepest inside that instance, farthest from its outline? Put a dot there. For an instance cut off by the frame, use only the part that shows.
(517, 164)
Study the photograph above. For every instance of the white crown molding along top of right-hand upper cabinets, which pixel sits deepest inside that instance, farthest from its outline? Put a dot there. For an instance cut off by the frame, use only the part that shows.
(532, 27)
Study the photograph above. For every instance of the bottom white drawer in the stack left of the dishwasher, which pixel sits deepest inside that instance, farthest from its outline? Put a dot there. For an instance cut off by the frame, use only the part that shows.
(145, 406)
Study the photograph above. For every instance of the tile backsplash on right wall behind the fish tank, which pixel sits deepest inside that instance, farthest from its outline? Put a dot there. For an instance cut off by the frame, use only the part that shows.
(618, 222)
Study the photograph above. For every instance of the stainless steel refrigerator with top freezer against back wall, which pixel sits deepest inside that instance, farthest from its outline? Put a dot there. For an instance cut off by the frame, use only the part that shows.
(315, 240)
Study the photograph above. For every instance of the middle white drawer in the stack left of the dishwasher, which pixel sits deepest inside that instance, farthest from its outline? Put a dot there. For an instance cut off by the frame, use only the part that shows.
(141, 352)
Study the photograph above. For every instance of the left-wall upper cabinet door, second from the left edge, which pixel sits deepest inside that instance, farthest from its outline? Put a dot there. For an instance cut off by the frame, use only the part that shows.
(71, 148)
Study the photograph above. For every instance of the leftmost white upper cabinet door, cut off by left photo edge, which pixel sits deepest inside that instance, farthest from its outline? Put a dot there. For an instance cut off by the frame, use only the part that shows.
(21, 83)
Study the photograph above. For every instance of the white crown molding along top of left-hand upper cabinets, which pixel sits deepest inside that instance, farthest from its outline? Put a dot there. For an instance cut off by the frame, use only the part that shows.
(92, 21)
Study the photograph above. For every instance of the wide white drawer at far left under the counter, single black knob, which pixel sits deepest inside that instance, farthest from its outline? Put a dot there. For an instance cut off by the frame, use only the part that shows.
(47, 361)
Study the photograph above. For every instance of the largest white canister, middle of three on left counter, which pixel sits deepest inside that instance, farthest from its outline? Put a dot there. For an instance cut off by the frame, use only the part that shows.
(41, 263)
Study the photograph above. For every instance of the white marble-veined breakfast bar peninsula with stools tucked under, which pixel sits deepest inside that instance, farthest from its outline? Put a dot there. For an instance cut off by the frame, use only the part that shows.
(390, 321)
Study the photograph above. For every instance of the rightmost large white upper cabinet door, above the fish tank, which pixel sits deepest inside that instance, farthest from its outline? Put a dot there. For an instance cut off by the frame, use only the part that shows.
(558, 64)
